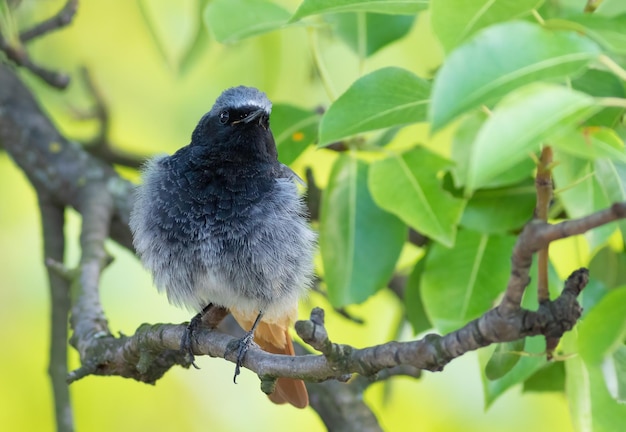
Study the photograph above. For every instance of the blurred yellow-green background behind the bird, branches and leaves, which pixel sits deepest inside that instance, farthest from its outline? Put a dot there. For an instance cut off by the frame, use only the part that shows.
(134, 51)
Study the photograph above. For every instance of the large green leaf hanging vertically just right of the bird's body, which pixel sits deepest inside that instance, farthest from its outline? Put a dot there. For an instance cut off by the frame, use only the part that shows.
(360, 243)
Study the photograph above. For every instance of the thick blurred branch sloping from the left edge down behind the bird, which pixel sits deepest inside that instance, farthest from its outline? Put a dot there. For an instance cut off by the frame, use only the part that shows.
(54, 165)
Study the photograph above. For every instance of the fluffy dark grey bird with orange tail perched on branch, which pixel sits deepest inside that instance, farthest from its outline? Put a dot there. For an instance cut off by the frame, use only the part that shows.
(221, 223)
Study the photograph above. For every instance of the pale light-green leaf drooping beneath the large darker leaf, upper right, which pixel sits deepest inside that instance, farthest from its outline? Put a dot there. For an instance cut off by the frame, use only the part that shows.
(519, 124)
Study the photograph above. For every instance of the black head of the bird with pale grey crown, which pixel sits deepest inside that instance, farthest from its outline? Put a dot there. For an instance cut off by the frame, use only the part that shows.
(238, 125)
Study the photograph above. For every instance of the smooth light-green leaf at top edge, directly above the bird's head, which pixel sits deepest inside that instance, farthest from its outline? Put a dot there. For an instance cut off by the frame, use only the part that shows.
(233, 20)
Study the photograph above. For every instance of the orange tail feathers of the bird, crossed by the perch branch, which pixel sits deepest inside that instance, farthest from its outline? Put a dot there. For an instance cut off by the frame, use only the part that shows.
(274, 338)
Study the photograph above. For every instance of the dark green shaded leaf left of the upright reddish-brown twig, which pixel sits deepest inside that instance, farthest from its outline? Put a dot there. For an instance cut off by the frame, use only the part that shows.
(500, 210)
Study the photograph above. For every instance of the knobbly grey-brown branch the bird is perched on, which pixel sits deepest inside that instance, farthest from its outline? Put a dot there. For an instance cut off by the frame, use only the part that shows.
(126, 356)
